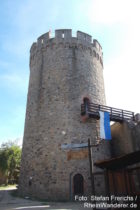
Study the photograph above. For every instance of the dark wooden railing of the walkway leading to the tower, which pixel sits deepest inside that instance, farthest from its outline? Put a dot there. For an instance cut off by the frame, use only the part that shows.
(117, 115)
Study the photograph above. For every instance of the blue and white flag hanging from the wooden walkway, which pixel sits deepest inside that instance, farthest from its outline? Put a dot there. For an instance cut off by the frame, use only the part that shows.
(105, 131)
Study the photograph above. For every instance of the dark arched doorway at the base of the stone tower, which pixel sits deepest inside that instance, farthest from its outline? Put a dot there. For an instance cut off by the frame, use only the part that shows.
(78, 182)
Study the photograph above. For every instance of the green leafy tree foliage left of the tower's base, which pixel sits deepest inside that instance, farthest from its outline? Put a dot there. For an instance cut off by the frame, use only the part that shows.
(10, 157)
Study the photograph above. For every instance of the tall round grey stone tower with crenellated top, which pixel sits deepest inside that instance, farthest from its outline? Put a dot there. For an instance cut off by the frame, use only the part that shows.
(63, 71)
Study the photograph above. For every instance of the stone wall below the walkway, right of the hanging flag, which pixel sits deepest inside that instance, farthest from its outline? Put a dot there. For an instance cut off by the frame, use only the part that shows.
(125, 138)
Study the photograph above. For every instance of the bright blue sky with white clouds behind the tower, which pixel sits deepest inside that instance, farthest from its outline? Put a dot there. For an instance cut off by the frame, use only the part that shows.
(114, 23)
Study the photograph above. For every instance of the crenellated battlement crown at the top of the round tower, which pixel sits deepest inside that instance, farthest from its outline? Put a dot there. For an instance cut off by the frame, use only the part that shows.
(65, 38)
